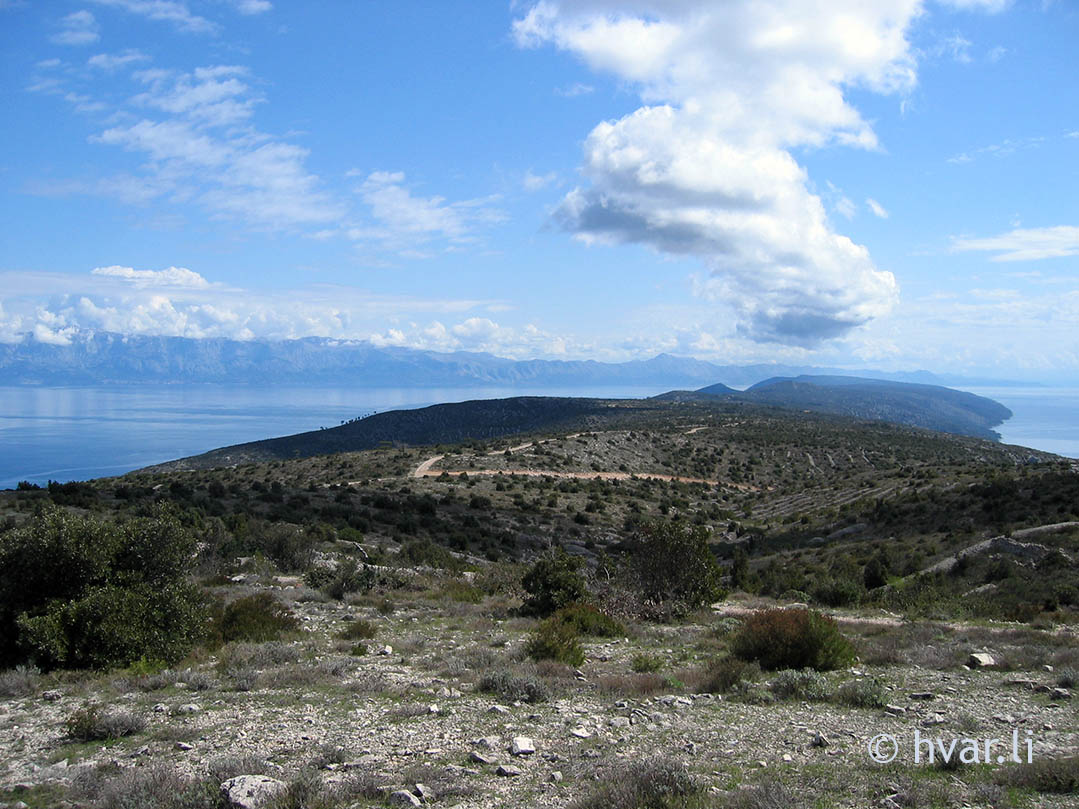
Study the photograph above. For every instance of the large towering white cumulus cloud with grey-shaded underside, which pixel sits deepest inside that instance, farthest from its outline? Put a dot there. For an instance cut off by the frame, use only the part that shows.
(705, 170)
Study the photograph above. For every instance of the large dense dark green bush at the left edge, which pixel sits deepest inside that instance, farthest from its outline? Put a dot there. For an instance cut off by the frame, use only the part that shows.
(86, 593)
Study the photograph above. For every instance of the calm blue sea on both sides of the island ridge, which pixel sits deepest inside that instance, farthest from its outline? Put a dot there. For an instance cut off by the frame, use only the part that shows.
(81, 433)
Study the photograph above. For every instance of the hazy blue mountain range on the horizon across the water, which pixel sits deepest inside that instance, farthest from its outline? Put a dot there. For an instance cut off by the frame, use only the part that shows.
(99, 359)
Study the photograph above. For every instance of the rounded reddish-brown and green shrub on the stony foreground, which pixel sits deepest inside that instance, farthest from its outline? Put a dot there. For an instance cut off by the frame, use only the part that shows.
(793, 639)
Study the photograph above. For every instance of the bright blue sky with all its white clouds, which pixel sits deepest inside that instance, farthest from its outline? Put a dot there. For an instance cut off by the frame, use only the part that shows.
(857, 184)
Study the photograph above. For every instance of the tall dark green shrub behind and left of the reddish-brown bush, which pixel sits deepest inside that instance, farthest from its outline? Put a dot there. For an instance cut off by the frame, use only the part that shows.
(671, 565)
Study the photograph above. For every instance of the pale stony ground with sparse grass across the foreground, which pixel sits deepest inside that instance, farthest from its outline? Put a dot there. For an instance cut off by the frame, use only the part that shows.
(409, 717)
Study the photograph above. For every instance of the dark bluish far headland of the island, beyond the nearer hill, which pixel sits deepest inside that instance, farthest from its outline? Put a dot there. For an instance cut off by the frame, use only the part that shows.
(932, 407)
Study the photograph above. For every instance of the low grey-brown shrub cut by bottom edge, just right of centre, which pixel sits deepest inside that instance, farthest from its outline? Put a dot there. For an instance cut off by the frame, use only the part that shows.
(660, 784)
